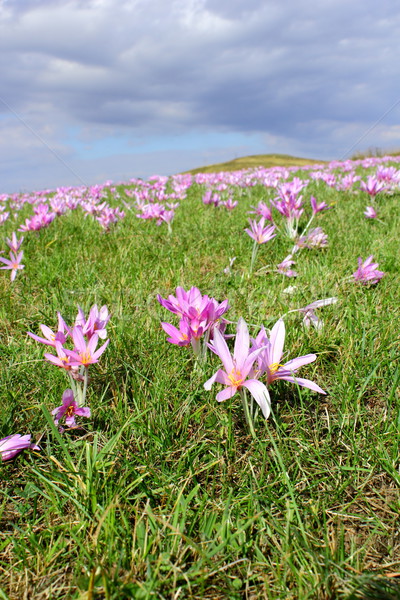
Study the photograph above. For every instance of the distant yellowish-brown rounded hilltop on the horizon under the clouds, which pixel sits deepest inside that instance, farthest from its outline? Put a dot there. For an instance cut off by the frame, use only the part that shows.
(257, 160)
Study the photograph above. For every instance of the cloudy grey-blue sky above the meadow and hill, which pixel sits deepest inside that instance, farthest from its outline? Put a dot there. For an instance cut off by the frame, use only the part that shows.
(92, 90)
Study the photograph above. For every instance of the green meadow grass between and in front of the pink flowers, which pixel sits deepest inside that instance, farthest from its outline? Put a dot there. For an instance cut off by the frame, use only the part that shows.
(163, 493)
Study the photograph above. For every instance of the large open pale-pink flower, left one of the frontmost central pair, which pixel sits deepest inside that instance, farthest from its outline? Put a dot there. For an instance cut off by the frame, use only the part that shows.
(239, 370)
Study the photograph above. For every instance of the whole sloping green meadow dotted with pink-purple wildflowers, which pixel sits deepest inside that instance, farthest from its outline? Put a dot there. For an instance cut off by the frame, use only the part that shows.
(200, 386)
